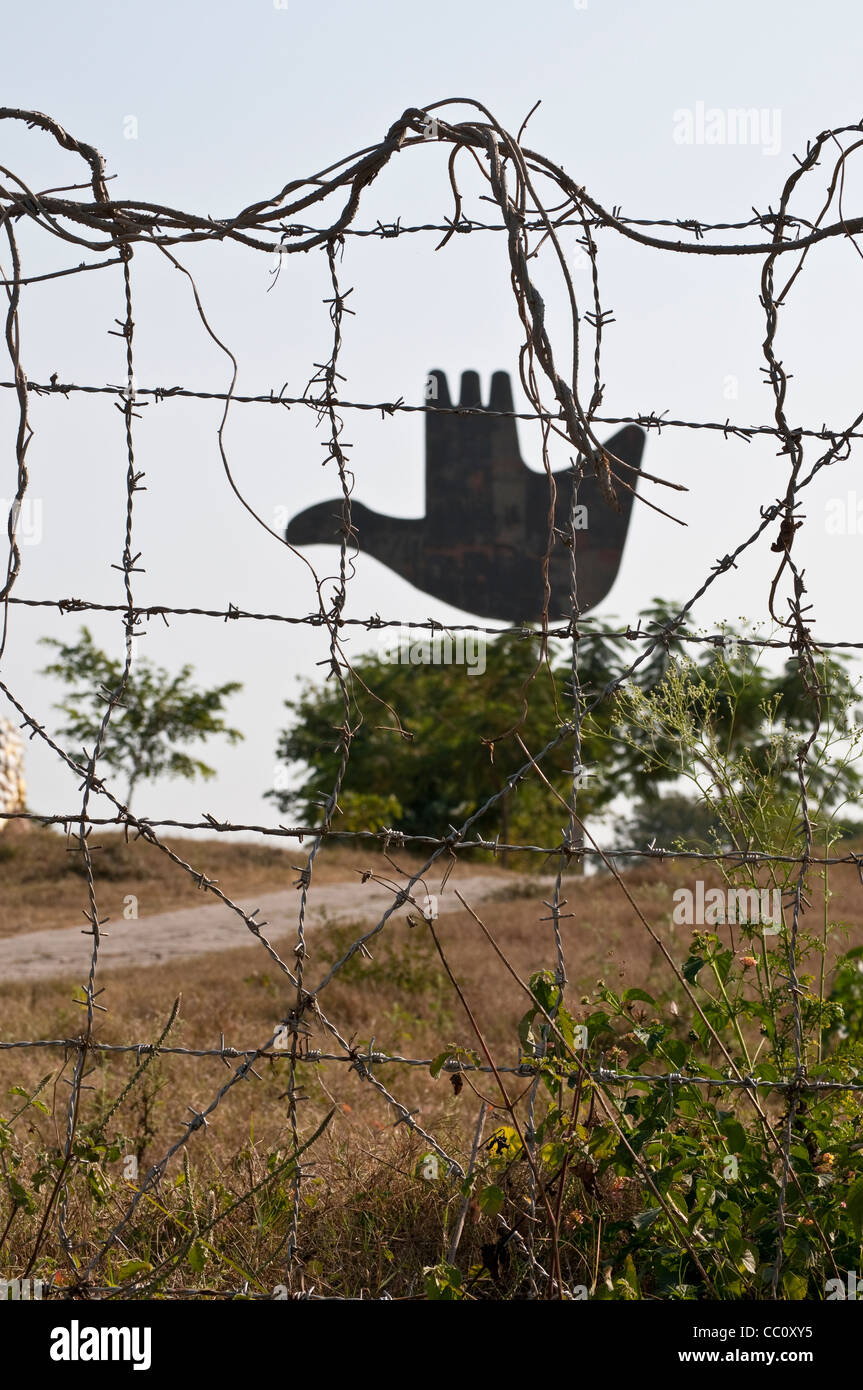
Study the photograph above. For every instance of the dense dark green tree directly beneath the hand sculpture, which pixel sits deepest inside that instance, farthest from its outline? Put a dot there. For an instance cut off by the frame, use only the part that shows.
(452, 743)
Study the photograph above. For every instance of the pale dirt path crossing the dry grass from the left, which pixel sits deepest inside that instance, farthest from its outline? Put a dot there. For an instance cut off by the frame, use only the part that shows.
(173, 936)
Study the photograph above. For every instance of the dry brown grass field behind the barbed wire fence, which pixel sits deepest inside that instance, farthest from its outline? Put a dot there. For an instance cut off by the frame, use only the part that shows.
(401, 997)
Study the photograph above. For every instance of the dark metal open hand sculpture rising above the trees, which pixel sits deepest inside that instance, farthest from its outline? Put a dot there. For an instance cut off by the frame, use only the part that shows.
(483, 540)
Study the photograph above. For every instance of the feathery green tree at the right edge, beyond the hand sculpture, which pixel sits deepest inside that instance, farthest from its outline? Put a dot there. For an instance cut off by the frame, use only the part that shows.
(722, 722)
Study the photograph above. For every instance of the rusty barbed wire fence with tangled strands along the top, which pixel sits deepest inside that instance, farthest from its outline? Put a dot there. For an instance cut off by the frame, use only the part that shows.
(536, 201)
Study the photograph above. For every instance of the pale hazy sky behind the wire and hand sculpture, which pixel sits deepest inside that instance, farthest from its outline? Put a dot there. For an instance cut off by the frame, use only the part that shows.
(229, 102)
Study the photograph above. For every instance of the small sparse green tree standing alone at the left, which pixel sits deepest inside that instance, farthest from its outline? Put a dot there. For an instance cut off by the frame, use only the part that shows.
(158, 712)
